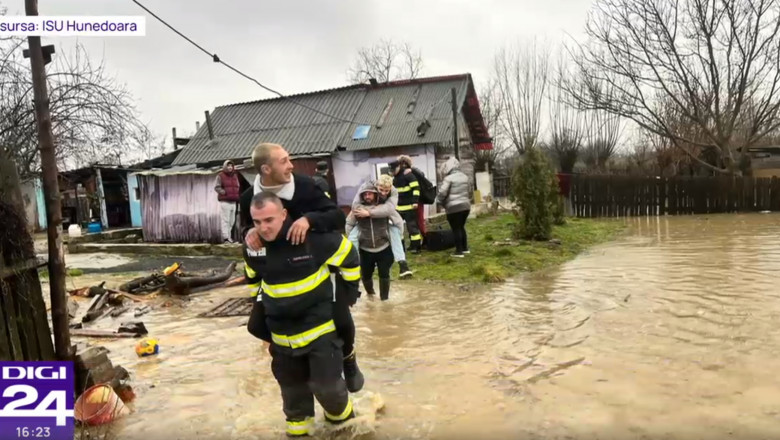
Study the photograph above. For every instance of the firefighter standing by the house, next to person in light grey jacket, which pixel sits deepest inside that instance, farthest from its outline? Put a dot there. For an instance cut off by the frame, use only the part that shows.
(408, 197)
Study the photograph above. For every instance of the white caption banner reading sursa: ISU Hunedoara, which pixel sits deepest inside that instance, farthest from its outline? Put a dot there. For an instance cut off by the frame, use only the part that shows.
(73, 26)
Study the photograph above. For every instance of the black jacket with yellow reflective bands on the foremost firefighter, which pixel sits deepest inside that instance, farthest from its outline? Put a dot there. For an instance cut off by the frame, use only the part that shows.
(297, 291)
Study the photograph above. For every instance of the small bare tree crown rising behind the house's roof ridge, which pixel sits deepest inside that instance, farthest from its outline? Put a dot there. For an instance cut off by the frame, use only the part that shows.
(386, 61)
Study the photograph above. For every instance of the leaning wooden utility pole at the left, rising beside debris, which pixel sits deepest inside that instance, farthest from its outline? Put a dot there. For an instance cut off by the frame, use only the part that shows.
(59, 305)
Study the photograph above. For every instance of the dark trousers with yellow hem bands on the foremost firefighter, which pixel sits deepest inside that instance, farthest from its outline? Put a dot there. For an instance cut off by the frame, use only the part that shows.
(316, 374)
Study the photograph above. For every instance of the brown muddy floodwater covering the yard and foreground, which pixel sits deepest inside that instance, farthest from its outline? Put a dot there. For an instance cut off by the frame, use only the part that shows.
(671, 331)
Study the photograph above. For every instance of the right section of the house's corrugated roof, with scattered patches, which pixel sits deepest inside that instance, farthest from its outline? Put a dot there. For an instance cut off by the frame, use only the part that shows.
(399, 128)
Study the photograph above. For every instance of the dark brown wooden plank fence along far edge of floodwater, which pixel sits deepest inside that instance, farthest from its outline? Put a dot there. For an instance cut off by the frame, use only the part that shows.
(621, 196)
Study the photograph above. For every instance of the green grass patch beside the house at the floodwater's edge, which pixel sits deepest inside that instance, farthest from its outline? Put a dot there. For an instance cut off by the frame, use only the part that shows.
(491, 262)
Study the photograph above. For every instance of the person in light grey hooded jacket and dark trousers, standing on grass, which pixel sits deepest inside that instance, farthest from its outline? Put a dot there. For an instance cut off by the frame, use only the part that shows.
(455, 196)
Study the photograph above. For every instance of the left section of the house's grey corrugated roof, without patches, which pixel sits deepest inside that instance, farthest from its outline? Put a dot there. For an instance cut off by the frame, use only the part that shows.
(239, 127)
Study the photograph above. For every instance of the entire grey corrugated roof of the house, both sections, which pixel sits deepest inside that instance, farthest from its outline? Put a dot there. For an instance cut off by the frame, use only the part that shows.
(239, 127)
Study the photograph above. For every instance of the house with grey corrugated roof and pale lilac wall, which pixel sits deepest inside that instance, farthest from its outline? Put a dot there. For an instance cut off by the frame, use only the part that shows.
(357, 129)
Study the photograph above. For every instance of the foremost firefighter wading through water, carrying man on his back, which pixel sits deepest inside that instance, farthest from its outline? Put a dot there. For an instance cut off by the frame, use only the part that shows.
(297, 295)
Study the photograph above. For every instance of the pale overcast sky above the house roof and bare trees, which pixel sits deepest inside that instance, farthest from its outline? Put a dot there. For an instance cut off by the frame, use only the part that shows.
(295, 46)
